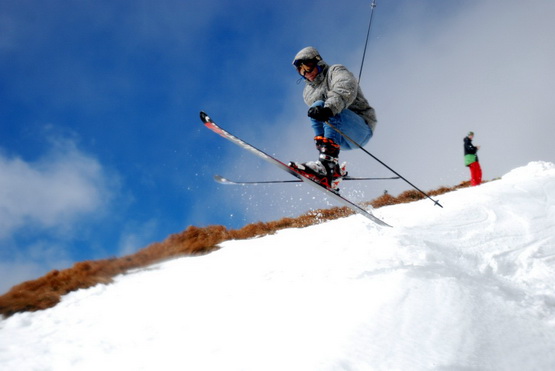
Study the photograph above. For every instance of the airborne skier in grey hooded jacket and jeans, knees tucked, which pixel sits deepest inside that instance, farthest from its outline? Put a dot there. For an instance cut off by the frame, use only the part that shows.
(333, 95)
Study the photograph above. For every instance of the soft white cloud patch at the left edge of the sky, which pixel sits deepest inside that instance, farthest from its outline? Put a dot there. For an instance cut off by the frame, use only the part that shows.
(52, 192)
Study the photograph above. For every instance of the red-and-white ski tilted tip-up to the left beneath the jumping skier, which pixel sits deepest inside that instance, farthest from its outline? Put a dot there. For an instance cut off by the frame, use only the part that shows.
(210, 124)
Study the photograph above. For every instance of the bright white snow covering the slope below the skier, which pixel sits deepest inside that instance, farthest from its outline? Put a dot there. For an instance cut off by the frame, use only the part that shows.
(466, 287)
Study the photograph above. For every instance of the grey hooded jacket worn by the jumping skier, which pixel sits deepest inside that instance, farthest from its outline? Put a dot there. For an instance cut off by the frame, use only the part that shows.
(337, 87)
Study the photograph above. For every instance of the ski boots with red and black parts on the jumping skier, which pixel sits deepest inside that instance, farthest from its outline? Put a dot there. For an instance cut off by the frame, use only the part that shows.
(326, 171)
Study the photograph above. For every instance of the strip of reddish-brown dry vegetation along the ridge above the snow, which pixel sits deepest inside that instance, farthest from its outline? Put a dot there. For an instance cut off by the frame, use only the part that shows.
(46, 292)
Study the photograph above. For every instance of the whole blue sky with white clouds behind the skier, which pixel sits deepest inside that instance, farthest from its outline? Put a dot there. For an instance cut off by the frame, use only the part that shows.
(102, 151)
